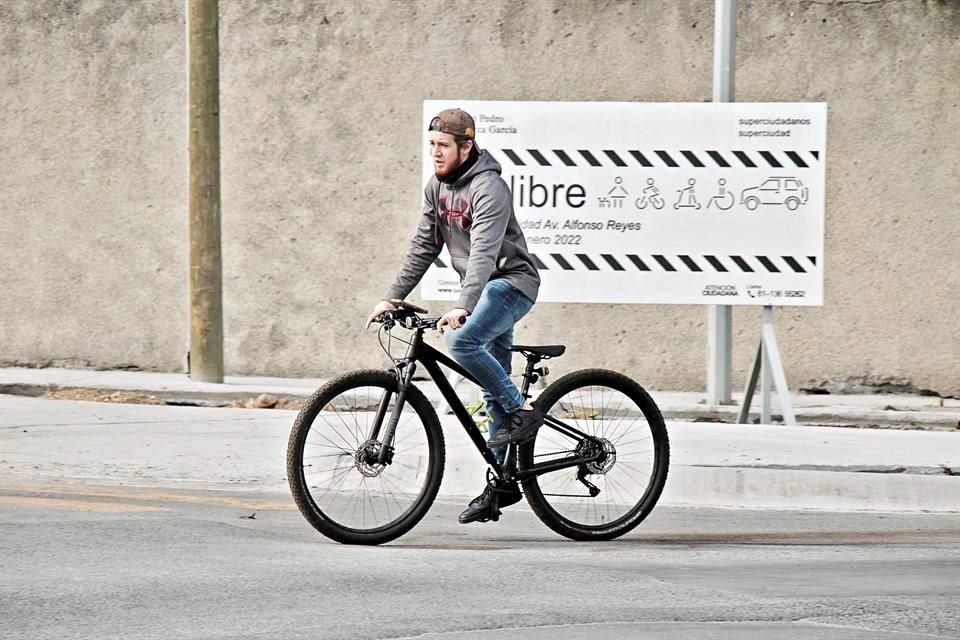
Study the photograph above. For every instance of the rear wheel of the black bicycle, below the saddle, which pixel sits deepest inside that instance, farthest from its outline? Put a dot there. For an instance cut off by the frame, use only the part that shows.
(631, 448)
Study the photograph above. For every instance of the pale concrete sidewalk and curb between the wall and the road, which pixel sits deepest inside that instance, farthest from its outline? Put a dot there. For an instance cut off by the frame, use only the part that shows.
(712, 464)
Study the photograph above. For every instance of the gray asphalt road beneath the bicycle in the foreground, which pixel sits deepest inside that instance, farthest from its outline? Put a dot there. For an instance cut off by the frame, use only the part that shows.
(83, 561)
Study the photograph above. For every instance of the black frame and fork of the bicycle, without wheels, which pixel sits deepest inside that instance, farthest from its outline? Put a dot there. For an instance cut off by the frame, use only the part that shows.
(432, 359)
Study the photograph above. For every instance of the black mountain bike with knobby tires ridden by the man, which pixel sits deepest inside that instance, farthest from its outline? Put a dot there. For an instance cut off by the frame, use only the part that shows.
(366, 452)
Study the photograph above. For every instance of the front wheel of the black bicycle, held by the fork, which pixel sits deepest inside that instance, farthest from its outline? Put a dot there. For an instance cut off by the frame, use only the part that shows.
(333, 467)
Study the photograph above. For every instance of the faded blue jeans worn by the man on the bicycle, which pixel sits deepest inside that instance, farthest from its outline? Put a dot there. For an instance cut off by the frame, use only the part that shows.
(482, 347)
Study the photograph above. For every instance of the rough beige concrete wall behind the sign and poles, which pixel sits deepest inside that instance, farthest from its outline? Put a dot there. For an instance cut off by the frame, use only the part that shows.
(321, 142)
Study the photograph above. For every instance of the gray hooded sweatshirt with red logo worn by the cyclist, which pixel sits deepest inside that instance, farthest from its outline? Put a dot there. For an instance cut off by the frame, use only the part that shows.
(474, 217)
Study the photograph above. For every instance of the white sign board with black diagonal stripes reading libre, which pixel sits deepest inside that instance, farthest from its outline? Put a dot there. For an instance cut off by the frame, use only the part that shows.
(686, 203)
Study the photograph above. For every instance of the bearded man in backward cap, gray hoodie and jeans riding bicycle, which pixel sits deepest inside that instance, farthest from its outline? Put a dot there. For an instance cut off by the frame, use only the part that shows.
(469, 207)
